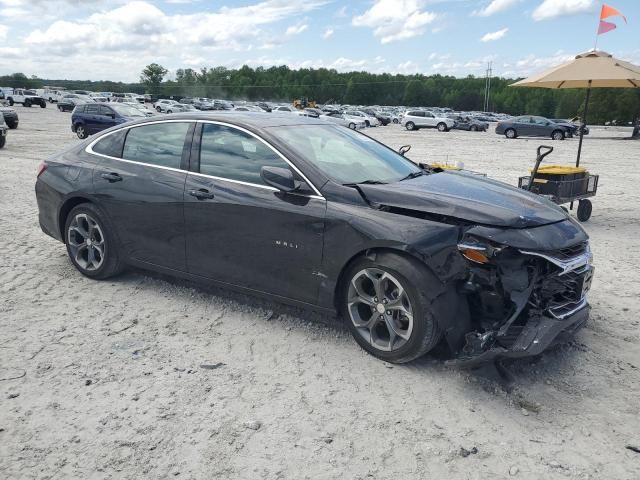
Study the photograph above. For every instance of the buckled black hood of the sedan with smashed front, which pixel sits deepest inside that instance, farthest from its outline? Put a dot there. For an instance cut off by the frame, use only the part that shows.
(467, 197)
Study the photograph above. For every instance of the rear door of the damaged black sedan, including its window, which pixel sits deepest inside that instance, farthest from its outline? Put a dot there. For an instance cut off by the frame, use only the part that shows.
(140, 184)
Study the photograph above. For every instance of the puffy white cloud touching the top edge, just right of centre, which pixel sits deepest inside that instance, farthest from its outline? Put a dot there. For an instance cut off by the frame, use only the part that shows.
(393, 20)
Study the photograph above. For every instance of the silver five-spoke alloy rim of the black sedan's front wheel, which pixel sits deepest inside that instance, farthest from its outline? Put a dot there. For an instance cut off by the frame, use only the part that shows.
(380, 309)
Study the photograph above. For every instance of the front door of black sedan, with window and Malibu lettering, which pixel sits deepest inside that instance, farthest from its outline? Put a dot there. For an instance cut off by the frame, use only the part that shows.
(241, 231)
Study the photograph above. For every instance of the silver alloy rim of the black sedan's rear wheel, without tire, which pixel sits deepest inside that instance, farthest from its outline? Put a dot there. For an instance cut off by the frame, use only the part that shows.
(86, 242)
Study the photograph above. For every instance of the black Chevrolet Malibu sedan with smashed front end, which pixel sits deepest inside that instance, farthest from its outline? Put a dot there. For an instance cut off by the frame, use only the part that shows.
(318, 215)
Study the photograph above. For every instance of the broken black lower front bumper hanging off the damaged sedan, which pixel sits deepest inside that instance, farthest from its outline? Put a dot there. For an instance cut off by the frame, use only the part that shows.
(538, 335)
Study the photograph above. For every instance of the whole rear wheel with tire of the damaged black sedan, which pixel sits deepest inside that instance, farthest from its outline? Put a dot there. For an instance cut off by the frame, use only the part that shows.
(90, 244)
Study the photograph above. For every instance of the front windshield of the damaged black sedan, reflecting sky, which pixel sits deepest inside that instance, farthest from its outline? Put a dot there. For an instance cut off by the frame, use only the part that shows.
(345, 156)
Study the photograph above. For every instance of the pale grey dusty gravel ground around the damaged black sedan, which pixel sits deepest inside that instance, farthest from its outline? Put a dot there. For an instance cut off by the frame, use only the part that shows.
(111, 383)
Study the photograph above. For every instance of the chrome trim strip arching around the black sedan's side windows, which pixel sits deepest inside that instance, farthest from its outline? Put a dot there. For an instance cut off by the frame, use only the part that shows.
(89, 150)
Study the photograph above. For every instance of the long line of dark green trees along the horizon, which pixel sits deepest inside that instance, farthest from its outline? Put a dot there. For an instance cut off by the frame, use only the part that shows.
(281, 83)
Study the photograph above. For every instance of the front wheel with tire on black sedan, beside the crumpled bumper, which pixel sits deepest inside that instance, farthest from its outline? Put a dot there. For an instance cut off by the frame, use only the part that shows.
(387, 309)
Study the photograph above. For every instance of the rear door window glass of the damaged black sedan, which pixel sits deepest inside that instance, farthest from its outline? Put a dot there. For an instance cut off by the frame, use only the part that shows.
(159, 144)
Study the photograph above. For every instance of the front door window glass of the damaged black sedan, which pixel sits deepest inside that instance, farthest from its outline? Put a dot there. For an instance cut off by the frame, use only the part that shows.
(235, 155)
